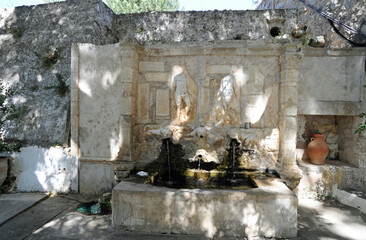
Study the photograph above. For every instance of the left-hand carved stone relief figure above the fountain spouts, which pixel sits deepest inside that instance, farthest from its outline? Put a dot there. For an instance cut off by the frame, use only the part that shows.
(184, 89)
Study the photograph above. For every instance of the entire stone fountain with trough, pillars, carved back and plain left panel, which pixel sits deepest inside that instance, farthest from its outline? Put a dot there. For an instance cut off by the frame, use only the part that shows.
(211, 123)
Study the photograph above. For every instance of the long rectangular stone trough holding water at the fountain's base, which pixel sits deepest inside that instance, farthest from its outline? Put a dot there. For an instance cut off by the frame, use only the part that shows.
(267, 211)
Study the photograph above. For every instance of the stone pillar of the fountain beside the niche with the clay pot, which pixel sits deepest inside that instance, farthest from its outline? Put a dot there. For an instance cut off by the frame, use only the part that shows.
(289, 75)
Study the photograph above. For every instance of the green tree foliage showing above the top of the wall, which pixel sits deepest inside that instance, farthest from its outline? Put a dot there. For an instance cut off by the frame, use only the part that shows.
(134, 6)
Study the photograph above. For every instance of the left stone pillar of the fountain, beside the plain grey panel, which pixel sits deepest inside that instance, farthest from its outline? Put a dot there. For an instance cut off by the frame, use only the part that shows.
(124, 162)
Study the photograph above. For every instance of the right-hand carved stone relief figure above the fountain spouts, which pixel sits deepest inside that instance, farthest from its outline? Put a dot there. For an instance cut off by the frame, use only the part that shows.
(227, 105)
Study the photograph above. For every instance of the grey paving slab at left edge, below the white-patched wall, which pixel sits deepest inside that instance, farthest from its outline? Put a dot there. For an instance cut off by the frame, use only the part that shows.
(15, 203)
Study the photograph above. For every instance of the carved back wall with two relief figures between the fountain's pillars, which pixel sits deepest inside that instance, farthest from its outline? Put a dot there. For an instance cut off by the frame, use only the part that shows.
(219, 87)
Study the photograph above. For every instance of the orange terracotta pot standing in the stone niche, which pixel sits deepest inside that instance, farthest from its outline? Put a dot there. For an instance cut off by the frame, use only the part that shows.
(318, 149)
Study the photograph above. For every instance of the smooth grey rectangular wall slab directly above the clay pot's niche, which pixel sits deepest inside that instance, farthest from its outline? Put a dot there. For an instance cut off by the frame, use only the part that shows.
(337, 78)
